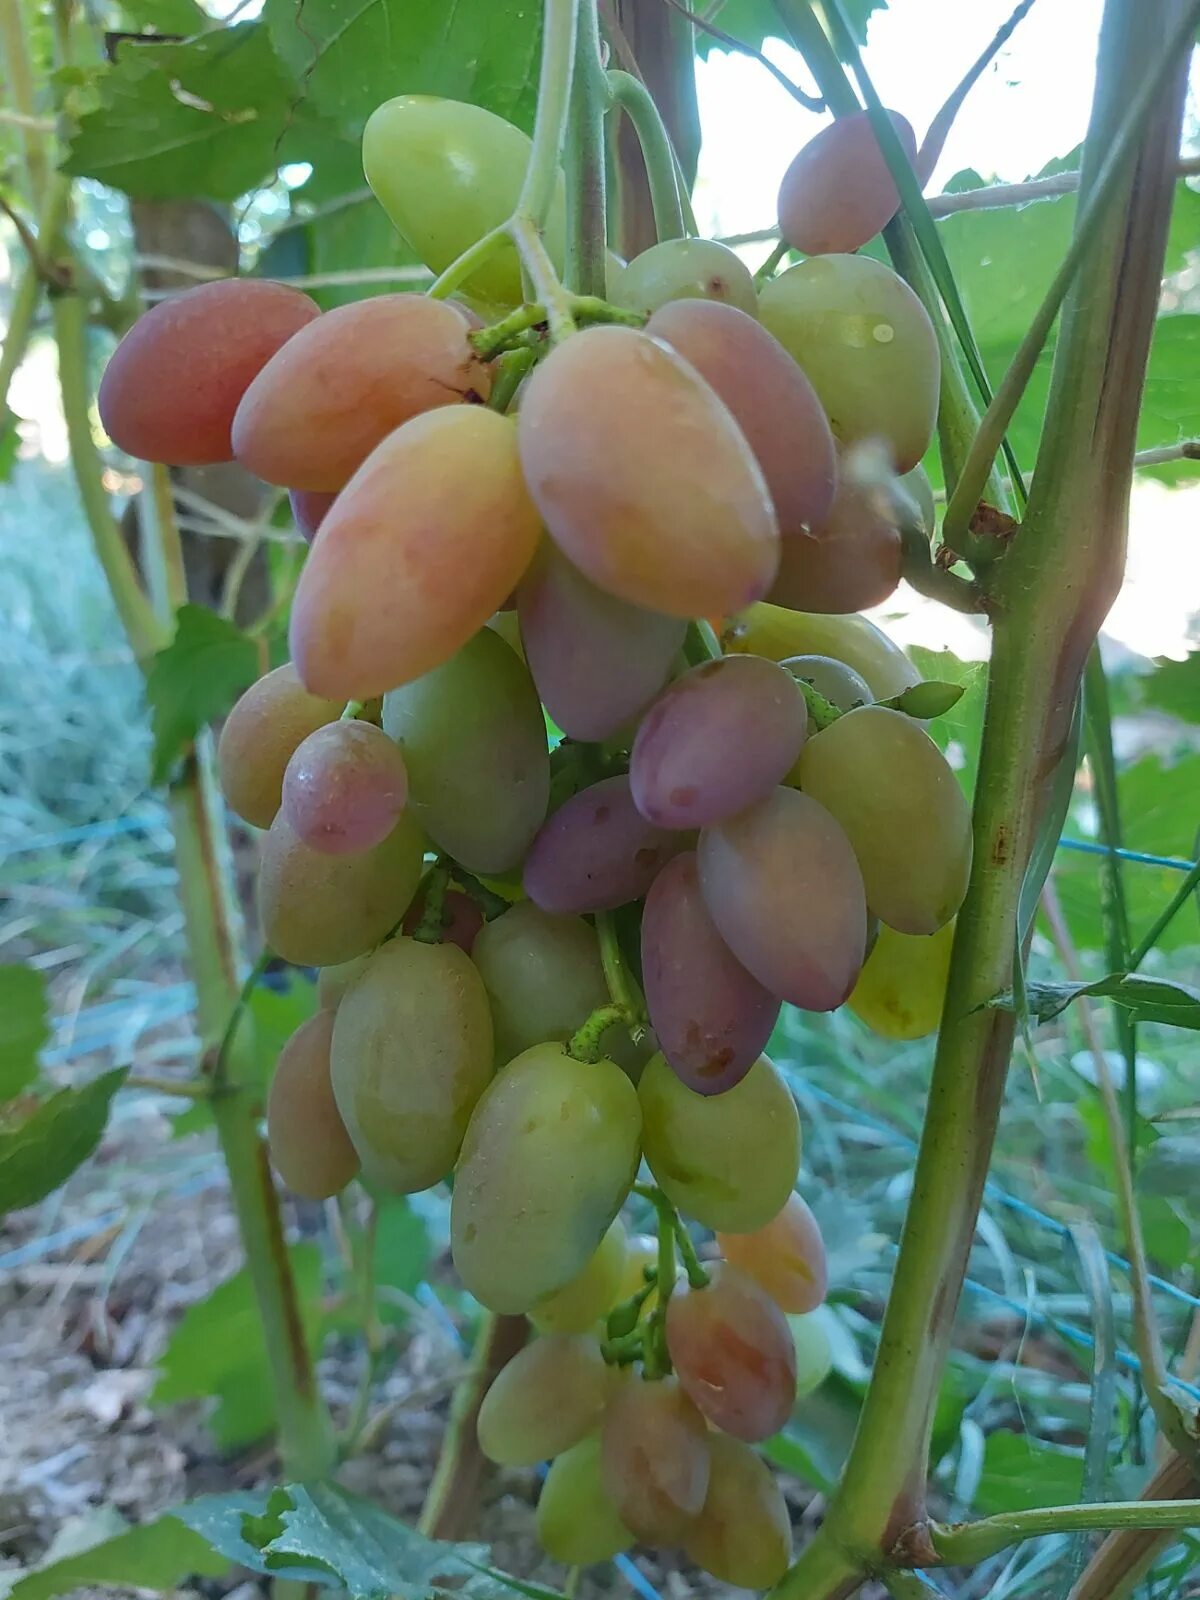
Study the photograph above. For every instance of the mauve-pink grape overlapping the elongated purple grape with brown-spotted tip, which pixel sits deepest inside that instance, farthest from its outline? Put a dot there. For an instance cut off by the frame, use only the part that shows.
(786, 894)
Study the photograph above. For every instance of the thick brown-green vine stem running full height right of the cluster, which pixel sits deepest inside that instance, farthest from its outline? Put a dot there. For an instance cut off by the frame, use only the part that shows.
(1052, 593)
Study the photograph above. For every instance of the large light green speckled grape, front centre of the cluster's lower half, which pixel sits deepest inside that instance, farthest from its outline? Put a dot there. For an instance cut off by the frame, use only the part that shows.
(550, 1158)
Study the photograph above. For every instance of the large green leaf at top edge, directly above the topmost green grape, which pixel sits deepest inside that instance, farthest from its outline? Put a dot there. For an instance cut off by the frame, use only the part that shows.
(351, 60)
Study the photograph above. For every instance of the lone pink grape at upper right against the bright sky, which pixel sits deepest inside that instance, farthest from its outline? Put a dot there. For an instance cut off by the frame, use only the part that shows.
(839, 191)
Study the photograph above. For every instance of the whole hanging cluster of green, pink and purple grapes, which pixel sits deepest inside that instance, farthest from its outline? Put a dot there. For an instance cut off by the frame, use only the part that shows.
(716, 825)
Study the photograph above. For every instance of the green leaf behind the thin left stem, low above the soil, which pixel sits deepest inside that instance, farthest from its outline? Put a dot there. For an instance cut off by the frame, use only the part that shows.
(220, 1351)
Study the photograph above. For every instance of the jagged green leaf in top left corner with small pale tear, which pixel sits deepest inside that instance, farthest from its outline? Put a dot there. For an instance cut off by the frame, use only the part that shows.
(188, 121)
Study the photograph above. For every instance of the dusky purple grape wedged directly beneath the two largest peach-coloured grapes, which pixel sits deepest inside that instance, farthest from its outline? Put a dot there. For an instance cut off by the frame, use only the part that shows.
(594, 658)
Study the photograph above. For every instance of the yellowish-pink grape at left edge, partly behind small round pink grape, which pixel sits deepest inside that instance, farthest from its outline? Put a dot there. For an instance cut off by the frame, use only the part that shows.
(260, 737)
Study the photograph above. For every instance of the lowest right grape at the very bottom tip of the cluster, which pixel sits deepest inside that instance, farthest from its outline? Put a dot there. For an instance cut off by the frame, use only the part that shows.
(743, 1535)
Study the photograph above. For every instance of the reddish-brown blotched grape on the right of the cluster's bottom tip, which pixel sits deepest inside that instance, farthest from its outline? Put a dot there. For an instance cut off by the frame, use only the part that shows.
(734, 1353)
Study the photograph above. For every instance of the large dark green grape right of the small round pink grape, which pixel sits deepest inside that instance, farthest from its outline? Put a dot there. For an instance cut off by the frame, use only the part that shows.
(474, 743)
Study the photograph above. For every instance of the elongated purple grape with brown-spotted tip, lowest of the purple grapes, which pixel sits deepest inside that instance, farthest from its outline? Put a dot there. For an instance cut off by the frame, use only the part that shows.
(711, 1017)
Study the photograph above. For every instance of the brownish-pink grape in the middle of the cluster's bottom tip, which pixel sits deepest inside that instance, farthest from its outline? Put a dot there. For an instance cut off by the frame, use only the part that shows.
(655, 1458)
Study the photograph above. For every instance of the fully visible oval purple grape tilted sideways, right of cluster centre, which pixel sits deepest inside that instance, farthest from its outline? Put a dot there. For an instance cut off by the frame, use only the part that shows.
(718, 740)
